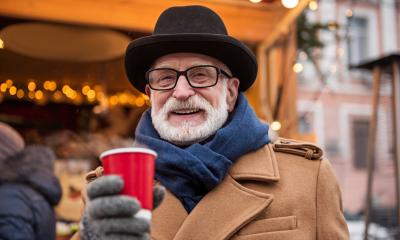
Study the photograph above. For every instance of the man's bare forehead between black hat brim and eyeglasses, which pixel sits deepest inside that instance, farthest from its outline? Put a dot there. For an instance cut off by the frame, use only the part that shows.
(185, 60)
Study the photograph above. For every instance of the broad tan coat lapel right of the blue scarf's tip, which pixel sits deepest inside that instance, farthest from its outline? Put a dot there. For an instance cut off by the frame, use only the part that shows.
(222, 212)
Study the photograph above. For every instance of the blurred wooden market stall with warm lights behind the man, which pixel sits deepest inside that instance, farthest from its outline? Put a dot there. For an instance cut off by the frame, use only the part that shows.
(62, 81)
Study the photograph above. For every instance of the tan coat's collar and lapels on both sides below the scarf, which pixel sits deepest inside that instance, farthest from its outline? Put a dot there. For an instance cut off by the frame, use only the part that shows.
(213, 215)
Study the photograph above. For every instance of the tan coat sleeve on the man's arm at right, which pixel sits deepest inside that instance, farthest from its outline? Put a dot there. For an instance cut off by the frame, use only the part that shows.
(331, 224)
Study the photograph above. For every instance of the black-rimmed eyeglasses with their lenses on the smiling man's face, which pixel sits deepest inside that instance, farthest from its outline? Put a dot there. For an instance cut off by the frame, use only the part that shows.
(201, 76)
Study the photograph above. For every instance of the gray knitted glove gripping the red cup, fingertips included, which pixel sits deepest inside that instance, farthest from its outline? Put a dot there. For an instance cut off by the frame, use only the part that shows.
(110, 215)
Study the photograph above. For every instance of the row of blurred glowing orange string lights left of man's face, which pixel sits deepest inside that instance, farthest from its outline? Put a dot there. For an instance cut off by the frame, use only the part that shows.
(51, 91)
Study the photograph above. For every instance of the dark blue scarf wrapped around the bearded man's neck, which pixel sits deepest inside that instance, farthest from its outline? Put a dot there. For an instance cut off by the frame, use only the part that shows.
(191, 172)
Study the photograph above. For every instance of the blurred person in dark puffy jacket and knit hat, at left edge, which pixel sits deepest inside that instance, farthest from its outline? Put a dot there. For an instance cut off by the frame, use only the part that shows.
(28, 189)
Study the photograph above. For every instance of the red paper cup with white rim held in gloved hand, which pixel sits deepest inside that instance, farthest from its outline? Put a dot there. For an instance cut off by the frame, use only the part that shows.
(136, 167)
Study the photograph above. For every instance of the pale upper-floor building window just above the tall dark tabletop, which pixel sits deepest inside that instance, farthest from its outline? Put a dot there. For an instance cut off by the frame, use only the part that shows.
(358, 40)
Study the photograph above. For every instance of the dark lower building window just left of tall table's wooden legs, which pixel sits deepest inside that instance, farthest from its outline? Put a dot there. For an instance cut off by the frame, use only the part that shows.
(360, 143)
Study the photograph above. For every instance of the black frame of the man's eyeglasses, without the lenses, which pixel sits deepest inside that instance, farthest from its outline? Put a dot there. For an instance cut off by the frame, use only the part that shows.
(184, 73)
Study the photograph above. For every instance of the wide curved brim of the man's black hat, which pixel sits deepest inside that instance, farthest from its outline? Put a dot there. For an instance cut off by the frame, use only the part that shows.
(142, 53)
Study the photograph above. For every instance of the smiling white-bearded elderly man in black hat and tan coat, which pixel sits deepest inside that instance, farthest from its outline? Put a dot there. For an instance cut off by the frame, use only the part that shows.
(223, 176)
